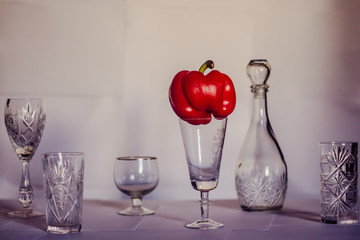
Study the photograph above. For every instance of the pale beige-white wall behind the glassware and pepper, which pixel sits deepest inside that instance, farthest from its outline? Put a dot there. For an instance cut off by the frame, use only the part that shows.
(104, 67)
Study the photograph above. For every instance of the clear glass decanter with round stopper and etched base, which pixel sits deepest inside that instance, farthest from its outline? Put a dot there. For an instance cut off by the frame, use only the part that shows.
(261, 171)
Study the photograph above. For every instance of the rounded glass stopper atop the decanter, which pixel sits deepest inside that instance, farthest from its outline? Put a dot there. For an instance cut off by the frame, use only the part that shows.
(258, 71)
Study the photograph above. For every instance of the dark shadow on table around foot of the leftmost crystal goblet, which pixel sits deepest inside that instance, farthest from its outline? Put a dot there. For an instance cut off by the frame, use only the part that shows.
(34, 222)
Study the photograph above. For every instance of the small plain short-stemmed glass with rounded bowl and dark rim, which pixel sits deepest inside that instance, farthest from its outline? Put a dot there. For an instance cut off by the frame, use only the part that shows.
(136, 176)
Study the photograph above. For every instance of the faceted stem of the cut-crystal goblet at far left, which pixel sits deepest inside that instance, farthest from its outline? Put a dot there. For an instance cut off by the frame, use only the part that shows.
(26, 195)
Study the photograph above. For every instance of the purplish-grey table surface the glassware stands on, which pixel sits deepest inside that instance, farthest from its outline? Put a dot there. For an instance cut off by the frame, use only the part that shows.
(299, 219)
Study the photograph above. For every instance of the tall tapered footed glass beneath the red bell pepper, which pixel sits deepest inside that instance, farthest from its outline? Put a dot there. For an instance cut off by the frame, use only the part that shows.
(203, 147)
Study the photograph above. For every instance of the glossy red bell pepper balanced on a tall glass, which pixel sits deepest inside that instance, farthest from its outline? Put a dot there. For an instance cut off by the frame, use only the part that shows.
(194, 95)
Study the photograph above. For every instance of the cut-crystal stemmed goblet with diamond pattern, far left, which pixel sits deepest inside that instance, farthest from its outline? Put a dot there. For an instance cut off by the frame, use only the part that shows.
(25, 121)
